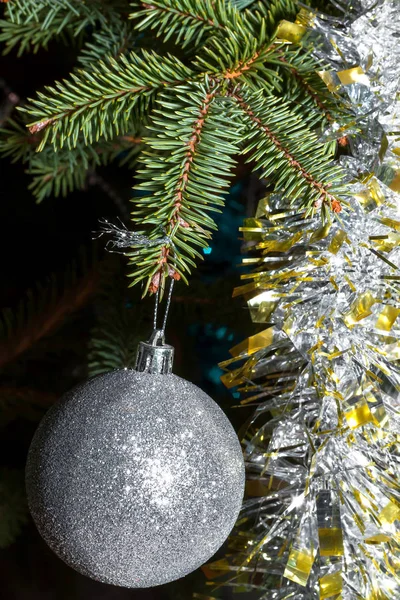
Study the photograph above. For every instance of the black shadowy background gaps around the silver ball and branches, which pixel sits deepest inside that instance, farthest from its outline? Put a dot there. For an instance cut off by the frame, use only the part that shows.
(39, 240)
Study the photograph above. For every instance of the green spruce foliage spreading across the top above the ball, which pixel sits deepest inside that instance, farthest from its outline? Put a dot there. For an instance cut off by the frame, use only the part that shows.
(217, 81)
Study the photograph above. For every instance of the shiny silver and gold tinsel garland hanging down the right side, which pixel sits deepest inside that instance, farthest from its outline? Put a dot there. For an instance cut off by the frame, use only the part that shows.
(323, 517)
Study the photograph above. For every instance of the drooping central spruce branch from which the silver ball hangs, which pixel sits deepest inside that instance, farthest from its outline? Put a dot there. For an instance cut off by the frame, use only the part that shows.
(195, 137)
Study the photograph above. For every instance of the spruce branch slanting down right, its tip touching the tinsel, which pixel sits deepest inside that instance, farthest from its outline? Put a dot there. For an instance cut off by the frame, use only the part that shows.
(289, 153)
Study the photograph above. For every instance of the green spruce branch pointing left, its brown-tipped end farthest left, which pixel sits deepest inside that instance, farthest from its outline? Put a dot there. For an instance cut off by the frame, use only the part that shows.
(99, 103)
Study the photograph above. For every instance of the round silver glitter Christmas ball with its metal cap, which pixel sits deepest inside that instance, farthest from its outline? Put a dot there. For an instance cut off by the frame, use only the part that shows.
(136, 477)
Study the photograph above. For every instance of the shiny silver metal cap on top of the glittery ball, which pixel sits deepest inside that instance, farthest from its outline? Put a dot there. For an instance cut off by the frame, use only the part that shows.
(155, 356)
